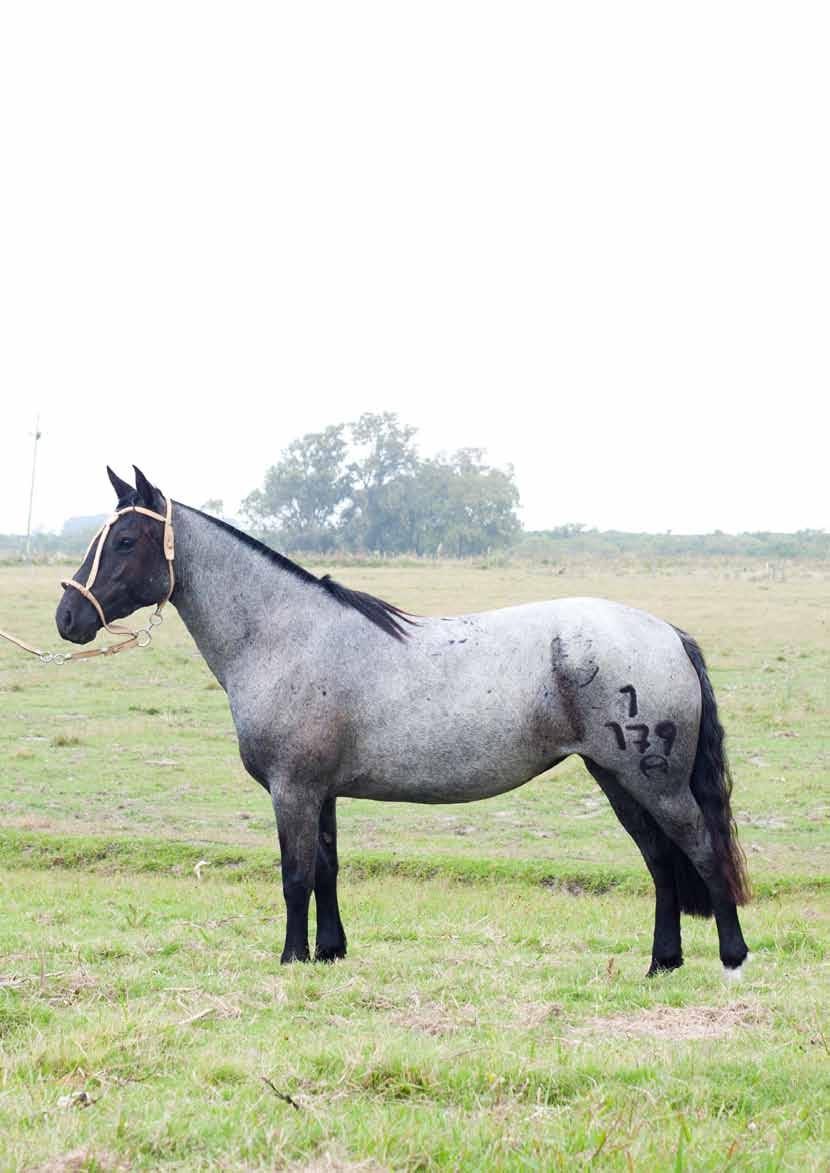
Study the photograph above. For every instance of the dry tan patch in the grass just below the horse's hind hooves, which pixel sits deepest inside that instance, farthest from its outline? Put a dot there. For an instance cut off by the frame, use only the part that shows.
(676, 1023)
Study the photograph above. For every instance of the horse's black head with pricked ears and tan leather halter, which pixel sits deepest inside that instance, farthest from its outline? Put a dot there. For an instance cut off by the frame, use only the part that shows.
(128, 565)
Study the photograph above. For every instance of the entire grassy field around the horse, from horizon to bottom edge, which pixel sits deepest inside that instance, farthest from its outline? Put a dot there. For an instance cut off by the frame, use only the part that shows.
(493, 1011)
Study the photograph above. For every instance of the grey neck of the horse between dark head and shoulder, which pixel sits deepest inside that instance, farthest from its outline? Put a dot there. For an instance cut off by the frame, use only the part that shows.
(232, 599)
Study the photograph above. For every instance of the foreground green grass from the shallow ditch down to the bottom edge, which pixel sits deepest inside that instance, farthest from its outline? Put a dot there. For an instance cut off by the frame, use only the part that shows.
(464, 1030)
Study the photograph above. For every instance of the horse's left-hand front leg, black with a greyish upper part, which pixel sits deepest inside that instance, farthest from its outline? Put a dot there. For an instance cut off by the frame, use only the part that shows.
(298, 817)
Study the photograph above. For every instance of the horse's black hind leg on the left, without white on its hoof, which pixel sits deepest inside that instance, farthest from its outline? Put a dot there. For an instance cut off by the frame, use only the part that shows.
(658, 852)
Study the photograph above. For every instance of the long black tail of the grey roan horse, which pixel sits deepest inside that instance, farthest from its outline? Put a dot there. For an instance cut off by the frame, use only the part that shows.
(712, 789)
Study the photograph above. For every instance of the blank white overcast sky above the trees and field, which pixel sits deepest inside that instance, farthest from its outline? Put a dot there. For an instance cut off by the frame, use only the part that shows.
(593, 239)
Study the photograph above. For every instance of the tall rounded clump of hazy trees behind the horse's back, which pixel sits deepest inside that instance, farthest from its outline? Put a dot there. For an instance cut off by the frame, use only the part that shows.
(364, 487)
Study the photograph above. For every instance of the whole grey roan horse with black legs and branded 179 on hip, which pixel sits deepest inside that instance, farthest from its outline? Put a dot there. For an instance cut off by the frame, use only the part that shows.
(337, 694)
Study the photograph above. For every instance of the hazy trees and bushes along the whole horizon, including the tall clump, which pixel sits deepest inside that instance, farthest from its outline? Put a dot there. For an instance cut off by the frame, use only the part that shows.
(363, 489)
